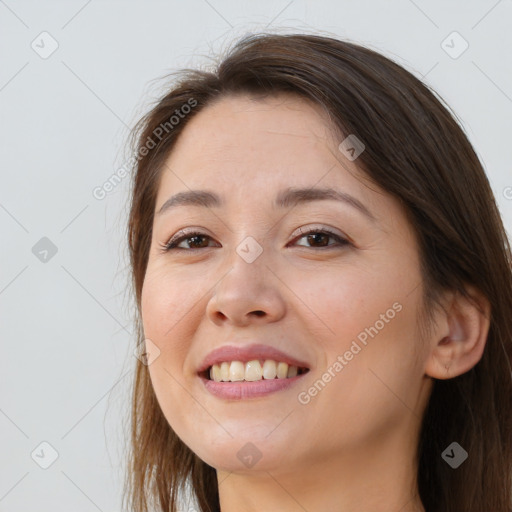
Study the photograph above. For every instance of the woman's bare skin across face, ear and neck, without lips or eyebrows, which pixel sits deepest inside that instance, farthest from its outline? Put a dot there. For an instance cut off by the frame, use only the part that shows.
(351, 447)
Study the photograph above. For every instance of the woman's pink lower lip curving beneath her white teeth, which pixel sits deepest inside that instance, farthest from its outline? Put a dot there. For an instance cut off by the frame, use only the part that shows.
(241, 390)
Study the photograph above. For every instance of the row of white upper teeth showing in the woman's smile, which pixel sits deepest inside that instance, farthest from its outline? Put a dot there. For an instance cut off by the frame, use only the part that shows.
(251, 371)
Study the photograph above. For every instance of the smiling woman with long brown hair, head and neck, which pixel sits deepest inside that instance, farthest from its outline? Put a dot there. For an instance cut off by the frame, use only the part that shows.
(324, 292)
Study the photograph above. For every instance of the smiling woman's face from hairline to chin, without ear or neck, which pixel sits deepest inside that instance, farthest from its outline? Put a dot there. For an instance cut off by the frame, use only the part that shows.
(347, 310)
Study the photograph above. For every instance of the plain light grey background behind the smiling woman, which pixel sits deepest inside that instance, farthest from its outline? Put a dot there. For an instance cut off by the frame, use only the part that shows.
(66, 353)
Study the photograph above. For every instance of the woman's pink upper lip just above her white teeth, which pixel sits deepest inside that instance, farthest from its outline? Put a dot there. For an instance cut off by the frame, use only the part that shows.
(248, 353)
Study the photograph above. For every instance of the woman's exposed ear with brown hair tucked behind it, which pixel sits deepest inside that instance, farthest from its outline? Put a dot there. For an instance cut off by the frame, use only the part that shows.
(460, 335)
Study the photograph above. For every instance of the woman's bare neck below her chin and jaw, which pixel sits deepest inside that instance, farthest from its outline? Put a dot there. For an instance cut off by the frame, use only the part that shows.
(375, 477)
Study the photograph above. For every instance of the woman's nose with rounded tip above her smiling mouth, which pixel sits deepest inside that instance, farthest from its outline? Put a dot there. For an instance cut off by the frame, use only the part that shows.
(248, 293)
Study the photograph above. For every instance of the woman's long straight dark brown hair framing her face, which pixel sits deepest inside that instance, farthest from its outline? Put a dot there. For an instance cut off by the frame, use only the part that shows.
(417, 152)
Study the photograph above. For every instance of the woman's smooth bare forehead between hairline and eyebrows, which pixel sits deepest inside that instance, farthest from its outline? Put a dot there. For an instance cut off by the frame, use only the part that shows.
(254, 143)
